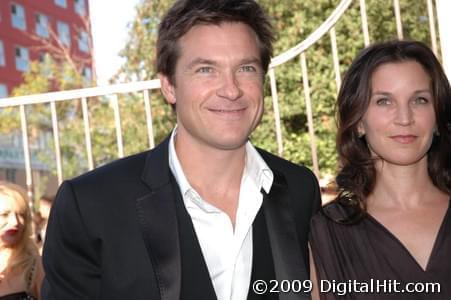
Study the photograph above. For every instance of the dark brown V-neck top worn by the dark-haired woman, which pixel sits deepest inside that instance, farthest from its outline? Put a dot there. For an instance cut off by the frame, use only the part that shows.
(363, 255)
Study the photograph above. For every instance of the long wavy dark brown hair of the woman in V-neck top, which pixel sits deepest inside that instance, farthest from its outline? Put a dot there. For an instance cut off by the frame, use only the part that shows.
(356, 179)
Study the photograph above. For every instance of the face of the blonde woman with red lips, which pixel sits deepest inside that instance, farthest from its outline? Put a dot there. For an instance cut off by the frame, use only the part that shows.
(12, 222)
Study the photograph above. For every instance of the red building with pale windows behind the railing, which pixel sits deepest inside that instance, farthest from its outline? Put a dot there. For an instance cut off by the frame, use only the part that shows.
(31, 28)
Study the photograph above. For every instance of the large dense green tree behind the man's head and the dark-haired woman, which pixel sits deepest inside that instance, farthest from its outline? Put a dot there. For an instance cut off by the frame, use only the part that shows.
(293, 22)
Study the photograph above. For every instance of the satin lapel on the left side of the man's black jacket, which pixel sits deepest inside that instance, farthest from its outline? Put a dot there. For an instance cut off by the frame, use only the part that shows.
(158, 222)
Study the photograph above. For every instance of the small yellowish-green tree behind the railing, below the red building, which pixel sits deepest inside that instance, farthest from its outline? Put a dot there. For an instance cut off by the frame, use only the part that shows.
(42, 77)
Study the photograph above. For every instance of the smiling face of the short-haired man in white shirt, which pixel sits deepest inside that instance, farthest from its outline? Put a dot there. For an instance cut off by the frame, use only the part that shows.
(218, 88)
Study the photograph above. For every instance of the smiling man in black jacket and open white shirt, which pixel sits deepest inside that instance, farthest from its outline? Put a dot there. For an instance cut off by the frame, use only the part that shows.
(204, 214)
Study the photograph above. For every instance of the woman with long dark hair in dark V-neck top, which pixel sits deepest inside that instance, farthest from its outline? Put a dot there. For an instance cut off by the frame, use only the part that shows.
(390, 225)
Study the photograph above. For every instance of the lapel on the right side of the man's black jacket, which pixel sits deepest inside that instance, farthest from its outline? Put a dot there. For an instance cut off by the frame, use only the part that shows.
(287, 254)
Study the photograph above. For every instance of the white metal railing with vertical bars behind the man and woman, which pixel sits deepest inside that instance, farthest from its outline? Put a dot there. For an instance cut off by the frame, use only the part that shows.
(144, 87)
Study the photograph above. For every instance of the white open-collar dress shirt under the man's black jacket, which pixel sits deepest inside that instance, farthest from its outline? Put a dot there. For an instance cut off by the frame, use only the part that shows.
(227, 252)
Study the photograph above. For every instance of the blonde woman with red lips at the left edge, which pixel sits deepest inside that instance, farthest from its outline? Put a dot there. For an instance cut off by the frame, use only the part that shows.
(21, 271)
